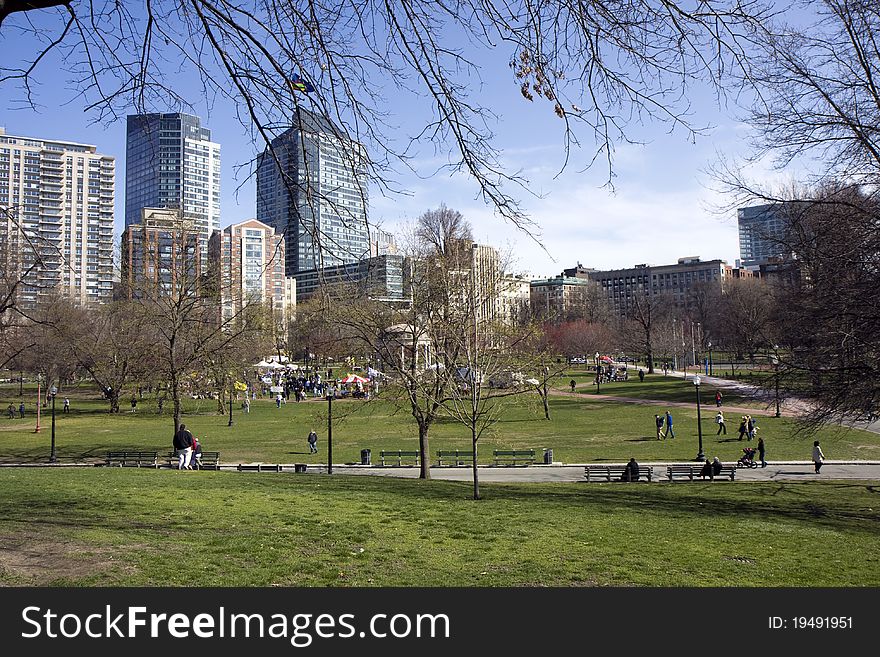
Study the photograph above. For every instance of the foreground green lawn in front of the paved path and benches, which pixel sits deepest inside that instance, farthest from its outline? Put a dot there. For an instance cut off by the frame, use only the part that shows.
(115, 526)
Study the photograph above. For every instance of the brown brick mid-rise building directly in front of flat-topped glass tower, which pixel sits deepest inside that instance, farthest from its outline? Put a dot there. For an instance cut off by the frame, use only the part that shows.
(161, 255)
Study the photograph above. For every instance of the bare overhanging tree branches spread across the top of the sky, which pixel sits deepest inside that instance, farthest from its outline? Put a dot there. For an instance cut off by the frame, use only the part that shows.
(598, 66)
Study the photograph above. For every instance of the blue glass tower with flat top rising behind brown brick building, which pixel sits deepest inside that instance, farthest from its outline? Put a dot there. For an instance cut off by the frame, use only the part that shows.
(171, 162)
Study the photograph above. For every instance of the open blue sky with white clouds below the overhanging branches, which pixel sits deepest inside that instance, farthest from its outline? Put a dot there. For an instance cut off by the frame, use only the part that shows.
(662, 206)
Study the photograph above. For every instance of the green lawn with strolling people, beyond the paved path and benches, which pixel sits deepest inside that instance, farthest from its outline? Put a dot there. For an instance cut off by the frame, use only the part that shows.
(581, 429)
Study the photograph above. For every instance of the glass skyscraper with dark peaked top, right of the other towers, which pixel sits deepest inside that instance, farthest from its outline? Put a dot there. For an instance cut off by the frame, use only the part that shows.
(312, 188)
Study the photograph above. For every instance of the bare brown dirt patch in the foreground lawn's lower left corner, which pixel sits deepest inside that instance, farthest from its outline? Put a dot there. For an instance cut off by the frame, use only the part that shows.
(30, 558)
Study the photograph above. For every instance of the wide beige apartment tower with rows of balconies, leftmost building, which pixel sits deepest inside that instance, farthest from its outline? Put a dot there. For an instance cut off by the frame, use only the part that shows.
(56, 218)
